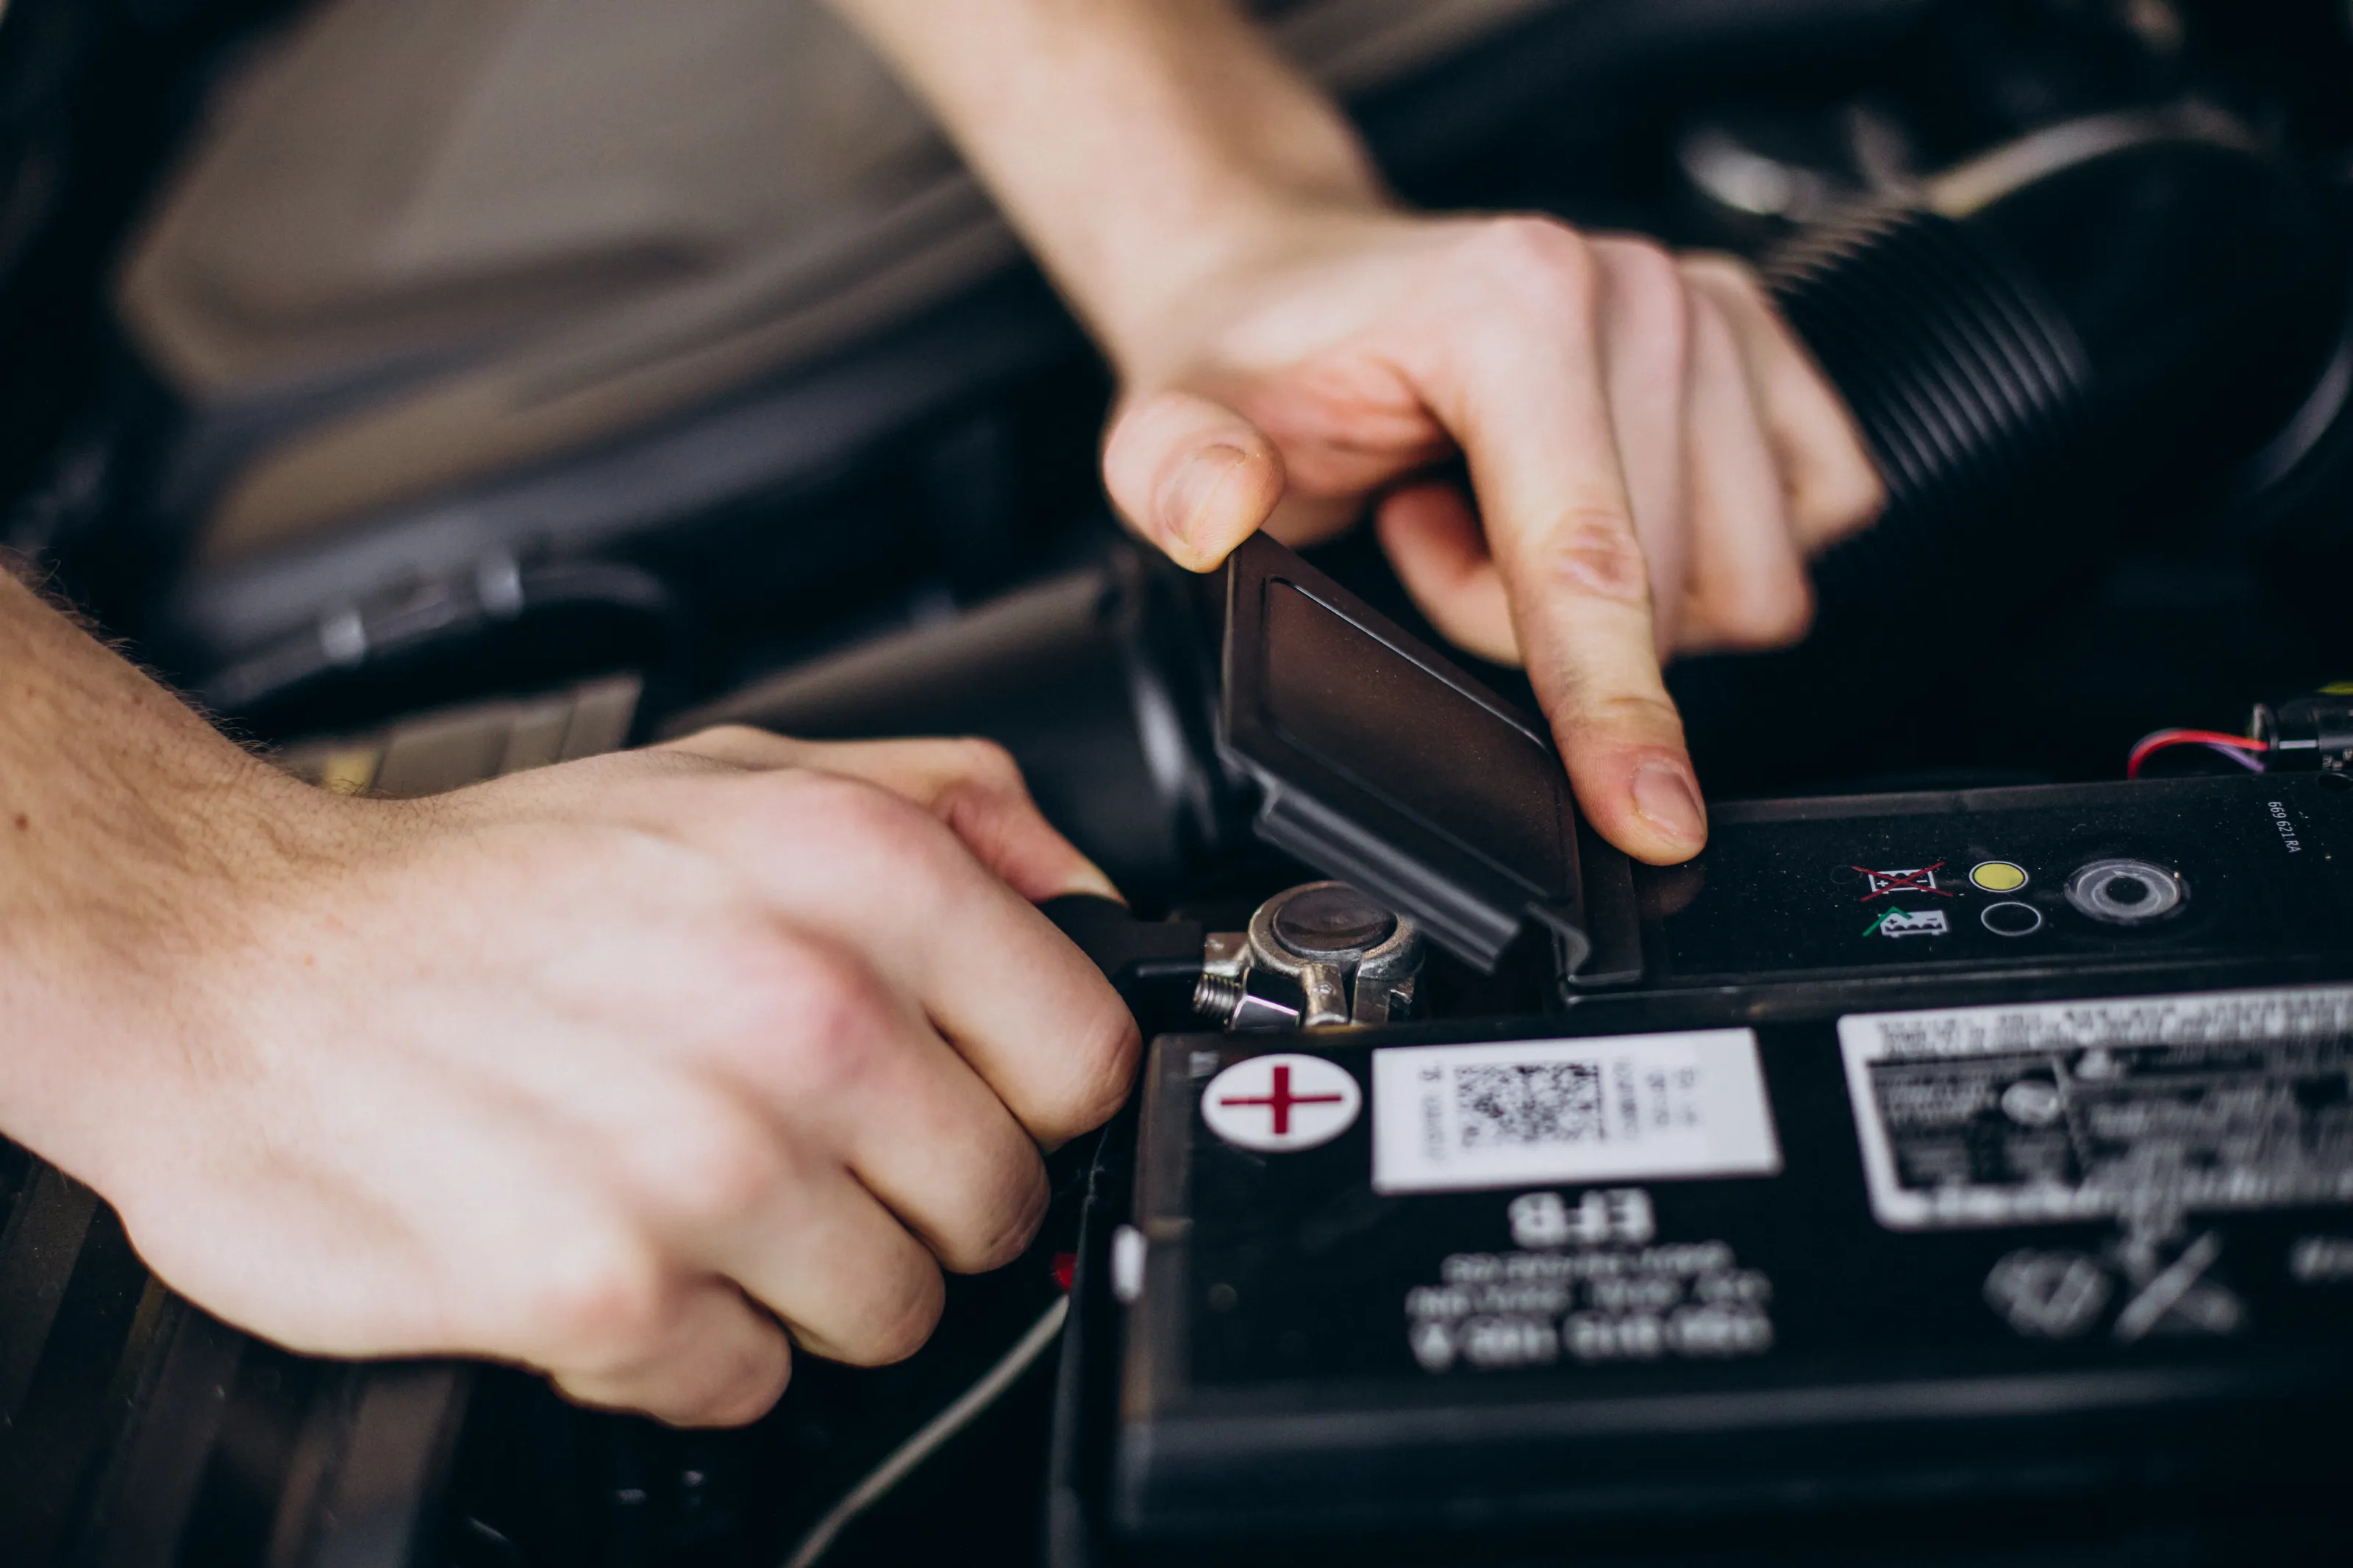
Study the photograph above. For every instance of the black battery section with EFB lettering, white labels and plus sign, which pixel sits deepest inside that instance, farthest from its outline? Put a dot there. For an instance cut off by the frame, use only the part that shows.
(1479, 1278)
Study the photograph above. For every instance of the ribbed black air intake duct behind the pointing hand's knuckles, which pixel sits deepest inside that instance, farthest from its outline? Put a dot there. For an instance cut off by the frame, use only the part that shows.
(2060, 340)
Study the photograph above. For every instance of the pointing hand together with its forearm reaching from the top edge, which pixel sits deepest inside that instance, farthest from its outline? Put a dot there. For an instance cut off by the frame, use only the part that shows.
(1653, 455)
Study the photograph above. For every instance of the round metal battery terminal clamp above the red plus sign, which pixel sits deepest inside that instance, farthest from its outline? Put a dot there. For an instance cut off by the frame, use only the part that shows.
(1321, 956)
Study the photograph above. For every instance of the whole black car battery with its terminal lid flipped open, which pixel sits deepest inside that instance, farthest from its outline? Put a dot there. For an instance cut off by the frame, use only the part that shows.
(1905, 1155)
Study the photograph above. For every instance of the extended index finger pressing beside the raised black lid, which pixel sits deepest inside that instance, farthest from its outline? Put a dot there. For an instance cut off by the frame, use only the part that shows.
(1514, 368)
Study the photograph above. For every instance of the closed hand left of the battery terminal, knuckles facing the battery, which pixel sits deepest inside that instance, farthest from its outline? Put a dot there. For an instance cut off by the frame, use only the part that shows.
(627, 1071)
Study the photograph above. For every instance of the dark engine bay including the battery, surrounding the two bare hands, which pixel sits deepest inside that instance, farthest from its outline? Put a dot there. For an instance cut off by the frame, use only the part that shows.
(1949, 1167)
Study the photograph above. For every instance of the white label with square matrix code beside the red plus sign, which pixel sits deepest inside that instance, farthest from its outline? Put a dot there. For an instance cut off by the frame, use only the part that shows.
(1571, 1111)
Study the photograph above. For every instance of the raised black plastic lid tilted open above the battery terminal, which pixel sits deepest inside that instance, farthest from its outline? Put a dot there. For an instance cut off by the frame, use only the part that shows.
(1387, 768)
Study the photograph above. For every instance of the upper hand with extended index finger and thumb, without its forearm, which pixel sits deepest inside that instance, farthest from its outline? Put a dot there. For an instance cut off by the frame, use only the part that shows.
(1653, 457)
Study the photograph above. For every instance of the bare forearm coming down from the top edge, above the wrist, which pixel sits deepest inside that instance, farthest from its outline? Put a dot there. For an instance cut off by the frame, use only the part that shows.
(1138, 145)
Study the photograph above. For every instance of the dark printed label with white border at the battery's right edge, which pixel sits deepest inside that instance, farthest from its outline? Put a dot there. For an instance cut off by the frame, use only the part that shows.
(2142, 1108)
